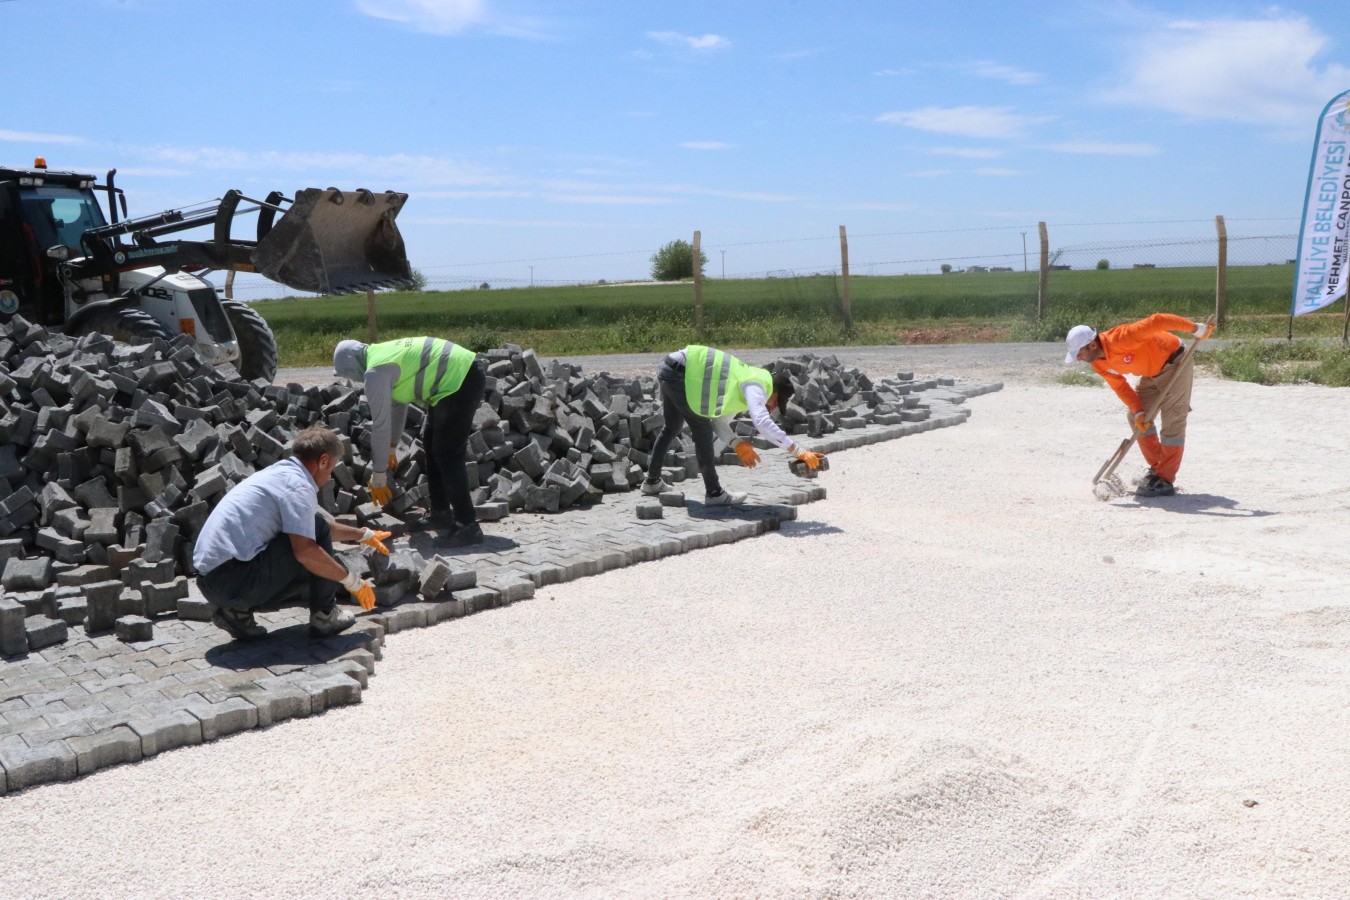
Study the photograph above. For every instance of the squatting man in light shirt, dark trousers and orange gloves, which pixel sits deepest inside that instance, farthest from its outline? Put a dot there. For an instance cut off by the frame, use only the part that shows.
(269, 538)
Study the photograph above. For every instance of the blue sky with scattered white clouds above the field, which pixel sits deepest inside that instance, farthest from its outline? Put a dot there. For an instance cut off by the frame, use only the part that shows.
(577, 137)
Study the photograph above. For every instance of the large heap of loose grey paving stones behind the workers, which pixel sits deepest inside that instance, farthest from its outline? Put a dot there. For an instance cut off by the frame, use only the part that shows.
(113, 455)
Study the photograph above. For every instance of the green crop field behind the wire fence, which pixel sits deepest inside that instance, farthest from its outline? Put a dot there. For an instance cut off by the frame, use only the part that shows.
(793, 312)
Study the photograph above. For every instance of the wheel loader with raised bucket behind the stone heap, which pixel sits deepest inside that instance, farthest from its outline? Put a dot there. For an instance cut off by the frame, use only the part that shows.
(67, 265)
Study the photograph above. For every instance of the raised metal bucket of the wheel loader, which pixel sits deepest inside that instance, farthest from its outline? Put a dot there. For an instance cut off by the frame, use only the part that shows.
(337, 242)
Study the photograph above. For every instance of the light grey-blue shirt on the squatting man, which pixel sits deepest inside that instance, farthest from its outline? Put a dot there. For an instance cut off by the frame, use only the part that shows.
(280, 500)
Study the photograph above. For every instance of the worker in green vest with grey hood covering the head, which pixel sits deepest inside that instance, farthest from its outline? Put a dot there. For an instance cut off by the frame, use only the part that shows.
(450, 381)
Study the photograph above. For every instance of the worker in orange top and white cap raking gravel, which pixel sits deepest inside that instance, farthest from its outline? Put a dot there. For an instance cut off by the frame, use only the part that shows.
(1147, 349)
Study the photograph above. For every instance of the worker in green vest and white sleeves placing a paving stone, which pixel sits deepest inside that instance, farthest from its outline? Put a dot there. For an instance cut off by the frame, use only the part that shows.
(705, 388)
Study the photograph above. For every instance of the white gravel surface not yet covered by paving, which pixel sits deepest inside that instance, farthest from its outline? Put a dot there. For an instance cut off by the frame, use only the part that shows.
(962, 675)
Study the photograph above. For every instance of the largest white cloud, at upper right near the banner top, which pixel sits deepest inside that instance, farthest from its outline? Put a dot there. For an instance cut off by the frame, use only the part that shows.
(1251, 71)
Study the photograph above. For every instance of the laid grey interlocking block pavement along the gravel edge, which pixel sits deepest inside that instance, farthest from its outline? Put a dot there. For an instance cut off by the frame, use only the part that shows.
(95, 702)
